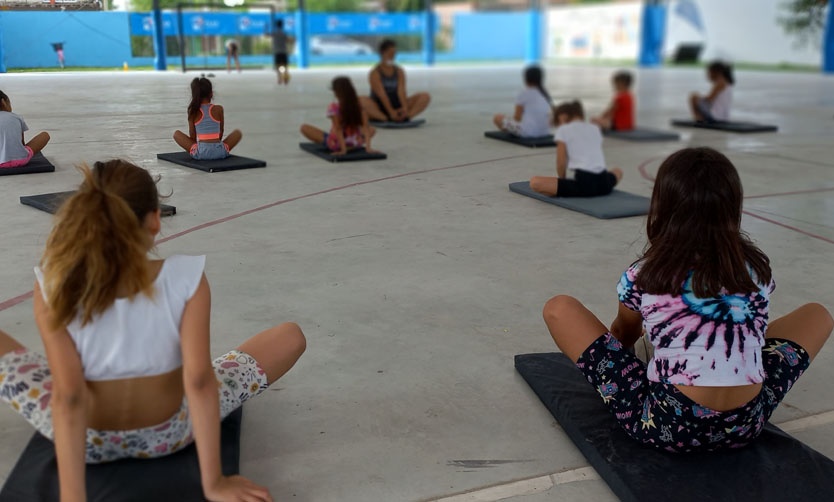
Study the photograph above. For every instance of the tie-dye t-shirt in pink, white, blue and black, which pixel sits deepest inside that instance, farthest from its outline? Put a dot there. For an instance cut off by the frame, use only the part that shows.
(708, 342)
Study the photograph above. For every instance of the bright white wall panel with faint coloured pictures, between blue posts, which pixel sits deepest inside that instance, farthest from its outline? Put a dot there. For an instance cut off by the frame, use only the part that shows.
(594, 32)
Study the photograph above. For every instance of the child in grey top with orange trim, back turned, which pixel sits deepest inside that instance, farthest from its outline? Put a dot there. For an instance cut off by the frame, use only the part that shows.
(205, 126)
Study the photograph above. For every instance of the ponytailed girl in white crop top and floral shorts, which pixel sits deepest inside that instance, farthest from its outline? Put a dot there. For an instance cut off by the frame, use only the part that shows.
(128, 371)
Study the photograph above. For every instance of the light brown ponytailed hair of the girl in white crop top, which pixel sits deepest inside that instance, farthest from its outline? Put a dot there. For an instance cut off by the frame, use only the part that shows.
(98, 247)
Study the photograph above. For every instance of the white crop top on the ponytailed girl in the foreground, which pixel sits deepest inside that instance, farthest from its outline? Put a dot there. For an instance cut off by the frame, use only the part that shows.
(141, 336)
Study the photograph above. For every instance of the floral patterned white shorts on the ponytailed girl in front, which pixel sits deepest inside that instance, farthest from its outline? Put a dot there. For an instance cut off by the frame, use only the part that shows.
(26, 384)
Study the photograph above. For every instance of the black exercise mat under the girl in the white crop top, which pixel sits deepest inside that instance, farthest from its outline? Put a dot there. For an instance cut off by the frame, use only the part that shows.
(174, 477)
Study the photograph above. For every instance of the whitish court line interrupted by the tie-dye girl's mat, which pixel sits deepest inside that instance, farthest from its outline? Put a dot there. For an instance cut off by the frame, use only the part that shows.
(543, 483)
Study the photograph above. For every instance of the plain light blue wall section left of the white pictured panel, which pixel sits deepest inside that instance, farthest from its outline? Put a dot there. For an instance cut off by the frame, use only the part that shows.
(490, 35)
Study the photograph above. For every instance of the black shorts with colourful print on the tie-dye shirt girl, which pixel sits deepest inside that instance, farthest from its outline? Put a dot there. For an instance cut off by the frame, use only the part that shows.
(660, 415)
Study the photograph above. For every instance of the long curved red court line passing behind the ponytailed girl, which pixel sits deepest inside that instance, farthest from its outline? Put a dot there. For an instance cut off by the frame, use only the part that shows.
(11, 302)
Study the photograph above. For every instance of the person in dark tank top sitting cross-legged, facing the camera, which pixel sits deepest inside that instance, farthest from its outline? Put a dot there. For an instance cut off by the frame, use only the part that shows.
(388, 101)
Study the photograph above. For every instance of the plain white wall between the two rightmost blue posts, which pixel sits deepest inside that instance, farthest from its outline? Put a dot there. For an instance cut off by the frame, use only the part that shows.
(739, 31)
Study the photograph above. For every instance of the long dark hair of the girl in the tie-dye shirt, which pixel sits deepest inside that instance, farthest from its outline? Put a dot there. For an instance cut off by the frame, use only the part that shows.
(694, 225)
